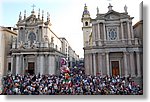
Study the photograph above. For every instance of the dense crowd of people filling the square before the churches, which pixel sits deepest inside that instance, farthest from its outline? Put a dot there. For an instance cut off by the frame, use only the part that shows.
(76, 83)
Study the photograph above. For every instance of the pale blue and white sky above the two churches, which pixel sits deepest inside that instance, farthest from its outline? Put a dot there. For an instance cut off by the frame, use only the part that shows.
(65, 15)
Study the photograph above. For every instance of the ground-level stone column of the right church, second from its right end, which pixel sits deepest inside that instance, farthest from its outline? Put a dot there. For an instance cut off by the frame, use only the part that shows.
(132, 64)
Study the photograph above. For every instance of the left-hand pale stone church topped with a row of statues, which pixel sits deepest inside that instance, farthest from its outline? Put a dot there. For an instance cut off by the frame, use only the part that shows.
(37, 49)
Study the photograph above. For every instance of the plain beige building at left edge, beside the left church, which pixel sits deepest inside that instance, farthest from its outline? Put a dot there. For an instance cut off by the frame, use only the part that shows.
(6, 35)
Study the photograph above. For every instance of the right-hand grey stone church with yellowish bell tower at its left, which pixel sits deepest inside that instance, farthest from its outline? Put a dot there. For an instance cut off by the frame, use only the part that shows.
(110, 45)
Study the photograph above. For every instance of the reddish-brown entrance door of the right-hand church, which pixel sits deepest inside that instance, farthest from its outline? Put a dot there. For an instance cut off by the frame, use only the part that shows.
(115, 68)
